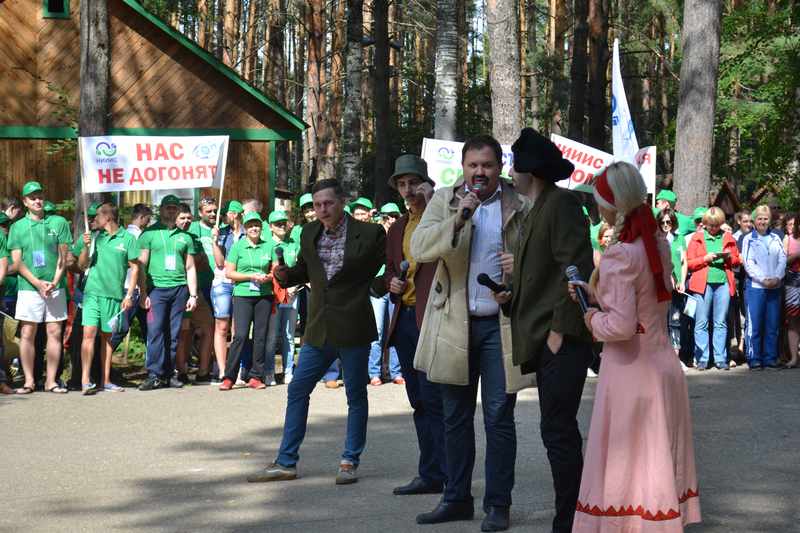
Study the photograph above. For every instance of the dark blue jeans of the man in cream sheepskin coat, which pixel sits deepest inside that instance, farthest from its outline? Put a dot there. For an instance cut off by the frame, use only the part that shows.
(458, 403)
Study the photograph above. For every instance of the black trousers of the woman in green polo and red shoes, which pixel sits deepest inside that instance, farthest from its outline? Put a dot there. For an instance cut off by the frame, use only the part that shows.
(255, 310)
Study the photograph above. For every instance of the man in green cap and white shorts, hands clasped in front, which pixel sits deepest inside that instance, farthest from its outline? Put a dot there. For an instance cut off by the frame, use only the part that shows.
(39, 247)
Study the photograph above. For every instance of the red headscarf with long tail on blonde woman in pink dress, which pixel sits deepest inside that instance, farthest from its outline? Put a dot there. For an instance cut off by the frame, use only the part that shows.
(639, 223)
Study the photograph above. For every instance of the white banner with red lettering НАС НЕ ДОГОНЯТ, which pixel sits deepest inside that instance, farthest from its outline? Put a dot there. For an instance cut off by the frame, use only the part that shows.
(132, 163)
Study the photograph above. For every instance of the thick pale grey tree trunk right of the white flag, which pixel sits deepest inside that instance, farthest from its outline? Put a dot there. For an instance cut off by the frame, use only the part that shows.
(694, 136)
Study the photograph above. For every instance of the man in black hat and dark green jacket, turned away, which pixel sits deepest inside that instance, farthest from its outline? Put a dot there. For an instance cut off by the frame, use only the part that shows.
(549, 336)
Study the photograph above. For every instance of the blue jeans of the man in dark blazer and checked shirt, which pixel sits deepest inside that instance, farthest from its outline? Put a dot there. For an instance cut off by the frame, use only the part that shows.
(312, 364)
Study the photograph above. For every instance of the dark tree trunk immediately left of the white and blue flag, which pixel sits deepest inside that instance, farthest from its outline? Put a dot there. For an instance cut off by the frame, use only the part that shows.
(598, 61)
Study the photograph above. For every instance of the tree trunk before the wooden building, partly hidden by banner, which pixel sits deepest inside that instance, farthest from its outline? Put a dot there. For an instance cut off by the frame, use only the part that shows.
(93, 114)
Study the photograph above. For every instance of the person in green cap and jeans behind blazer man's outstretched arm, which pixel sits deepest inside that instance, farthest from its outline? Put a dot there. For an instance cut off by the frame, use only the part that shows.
(283, 321)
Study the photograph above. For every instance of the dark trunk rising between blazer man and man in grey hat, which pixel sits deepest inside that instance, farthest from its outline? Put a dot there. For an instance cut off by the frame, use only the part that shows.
(383, 125)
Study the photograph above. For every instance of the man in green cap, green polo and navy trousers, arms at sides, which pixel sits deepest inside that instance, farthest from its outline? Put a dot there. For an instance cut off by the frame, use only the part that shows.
(169, 279)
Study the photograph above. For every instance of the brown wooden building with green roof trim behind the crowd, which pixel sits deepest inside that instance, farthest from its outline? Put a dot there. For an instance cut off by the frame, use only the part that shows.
(160, 83)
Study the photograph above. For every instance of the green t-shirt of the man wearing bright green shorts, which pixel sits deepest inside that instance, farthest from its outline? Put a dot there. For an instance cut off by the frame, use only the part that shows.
(108, 266)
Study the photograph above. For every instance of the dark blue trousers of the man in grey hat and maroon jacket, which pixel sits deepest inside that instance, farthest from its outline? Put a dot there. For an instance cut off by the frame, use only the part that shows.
(425, 399)
